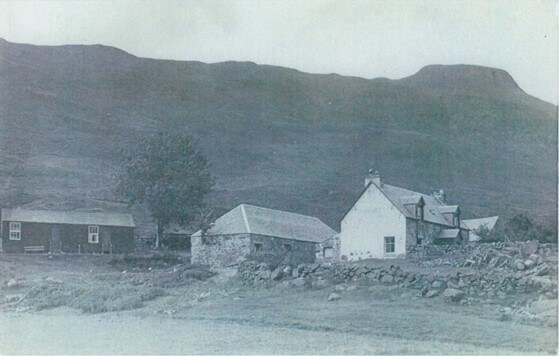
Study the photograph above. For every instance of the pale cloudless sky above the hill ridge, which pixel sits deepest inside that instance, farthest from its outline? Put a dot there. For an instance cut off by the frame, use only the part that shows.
(369, 39)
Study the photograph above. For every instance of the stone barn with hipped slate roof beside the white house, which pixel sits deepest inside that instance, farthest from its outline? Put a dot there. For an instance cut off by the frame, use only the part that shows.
(251, 232)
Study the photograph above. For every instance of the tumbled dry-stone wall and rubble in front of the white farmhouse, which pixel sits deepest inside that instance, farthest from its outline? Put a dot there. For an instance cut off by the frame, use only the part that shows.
(489, 271)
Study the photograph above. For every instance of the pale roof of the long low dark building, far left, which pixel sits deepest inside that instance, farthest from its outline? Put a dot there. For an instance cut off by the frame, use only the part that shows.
(68, 217)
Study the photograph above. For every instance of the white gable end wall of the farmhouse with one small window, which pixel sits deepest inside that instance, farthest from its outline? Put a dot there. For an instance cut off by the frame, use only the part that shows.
(371, 219)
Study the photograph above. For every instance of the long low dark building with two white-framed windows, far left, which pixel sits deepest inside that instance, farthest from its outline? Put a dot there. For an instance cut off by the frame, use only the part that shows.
(66, 231)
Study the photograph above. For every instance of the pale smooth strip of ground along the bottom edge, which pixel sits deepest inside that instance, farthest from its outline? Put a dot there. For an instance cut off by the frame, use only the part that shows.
(65, 332)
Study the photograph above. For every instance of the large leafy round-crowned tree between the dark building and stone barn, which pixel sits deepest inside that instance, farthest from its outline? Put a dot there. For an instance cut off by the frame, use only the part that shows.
(170, 175)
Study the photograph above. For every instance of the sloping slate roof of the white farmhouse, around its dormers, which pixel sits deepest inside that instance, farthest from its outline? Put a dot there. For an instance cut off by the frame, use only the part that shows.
(431, 211)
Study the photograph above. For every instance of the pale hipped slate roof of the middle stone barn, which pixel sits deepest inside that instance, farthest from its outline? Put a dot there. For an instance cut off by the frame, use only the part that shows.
(269, 222)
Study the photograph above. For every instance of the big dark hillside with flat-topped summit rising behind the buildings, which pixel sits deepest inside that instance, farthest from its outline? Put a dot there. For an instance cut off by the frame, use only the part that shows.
(275, 136)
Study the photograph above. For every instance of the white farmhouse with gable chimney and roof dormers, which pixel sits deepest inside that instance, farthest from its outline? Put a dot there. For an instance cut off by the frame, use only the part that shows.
(385, 221)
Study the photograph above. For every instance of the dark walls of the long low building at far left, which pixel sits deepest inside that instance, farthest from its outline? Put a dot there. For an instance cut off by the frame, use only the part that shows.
(73, 238)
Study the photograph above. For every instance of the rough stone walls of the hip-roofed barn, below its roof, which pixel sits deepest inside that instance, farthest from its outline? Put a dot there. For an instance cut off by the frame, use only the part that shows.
(226, 250)
